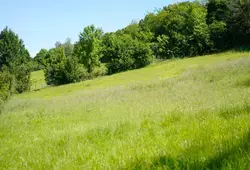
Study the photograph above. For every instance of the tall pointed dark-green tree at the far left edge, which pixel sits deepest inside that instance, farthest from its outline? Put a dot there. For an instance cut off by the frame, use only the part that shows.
(14, 65)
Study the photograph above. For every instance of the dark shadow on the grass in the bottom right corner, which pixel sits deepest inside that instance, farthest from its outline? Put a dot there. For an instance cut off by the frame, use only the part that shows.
(226, 159)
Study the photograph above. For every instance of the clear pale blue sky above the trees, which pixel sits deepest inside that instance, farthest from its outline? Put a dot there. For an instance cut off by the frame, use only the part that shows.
(40, 23)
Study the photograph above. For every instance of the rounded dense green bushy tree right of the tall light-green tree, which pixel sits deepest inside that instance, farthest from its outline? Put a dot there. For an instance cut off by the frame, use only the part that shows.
(125, 53)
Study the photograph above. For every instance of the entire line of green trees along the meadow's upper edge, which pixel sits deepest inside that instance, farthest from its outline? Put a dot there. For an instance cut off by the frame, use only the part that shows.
(179, 30)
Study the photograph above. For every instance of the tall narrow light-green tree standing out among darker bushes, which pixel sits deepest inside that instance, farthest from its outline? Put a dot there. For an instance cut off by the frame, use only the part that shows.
(88, 48)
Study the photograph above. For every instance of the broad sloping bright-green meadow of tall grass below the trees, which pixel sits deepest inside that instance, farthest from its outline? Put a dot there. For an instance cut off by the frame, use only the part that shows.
(183, 114)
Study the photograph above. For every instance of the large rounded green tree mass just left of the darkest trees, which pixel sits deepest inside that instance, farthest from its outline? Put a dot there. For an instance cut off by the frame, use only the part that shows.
(183, 29)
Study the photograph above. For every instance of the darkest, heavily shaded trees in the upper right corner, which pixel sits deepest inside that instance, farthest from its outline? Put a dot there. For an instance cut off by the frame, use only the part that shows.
(229, 23)
